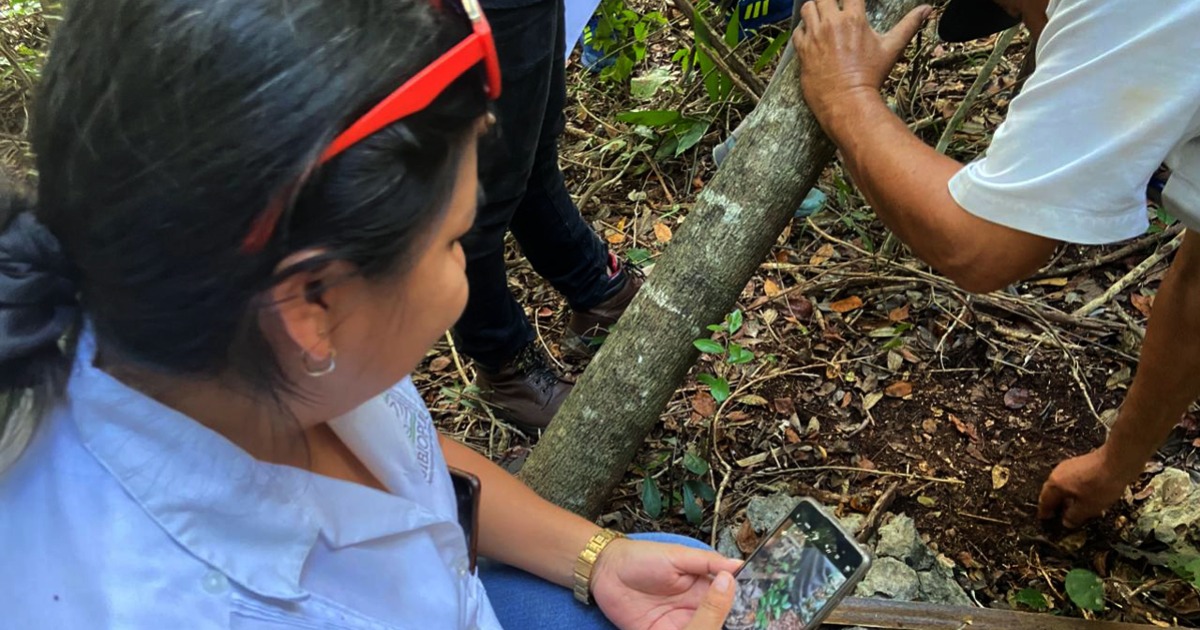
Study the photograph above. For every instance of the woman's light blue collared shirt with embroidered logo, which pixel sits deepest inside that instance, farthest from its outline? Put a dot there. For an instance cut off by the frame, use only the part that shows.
(125, 514)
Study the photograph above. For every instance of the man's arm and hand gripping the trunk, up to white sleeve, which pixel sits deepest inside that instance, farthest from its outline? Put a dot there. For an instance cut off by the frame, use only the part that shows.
(844, 63)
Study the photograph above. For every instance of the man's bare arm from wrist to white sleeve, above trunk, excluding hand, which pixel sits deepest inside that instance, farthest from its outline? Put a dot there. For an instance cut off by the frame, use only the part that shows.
(908, 184)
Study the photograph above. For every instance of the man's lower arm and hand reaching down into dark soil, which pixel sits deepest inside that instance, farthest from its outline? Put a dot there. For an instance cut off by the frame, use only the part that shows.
(1168, 382)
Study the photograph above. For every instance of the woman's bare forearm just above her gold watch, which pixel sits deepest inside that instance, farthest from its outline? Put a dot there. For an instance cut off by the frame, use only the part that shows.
(518, 527)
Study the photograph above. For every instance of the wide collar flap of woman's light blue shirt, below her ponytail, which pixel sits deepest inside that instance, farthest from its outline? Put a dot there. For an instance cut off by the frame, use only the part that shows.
(248, 519)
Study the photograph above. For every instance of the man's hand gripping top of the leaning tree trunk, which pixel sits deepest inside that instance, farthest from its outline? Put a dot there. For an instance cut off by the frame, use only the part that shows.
(841, 55)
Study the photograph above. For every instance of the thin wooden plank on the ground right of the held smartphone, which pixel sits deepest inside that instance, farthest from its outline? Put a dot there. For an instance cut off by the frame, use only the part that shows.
(913, 616)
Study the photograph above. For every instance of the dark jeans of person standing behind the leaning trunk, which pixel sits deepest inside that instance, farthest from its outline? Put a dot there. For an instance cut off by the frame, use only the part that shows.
(525, 191)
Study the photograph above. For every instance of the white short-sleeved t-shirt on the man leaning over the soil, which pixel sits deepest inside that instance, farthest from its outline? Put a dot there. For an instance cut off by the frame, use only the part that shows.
(1117, 92)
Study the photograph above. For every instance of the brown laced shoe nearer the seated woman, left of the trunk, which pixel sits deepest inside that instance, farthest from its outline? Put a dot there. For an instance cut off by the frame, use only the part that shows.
(527, 391)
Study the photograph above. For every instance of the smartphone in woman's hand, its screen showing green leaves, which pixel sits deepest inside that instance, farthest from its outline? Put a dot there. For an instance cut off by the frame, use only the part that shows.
(799, 574)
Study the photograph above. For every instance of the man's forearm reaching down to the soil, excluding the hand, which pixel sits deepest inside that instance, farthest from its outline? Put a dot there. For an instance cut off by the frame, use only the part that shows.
(1168, 379)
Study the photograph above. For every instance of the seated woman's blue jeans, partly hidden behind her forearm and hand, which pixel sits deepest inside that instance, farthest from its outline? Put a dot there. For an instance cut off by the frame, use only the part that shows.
(525, 602)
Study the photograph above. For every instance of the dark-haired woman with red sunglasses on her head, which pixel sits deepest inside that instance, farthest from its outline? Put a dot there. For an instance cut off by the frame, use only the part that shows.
(245, 237)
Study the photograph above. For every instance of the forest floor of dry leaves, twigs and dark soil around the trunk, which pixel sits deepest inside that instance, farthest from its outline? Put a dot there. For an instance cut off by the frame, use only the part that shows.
(869, 368)
